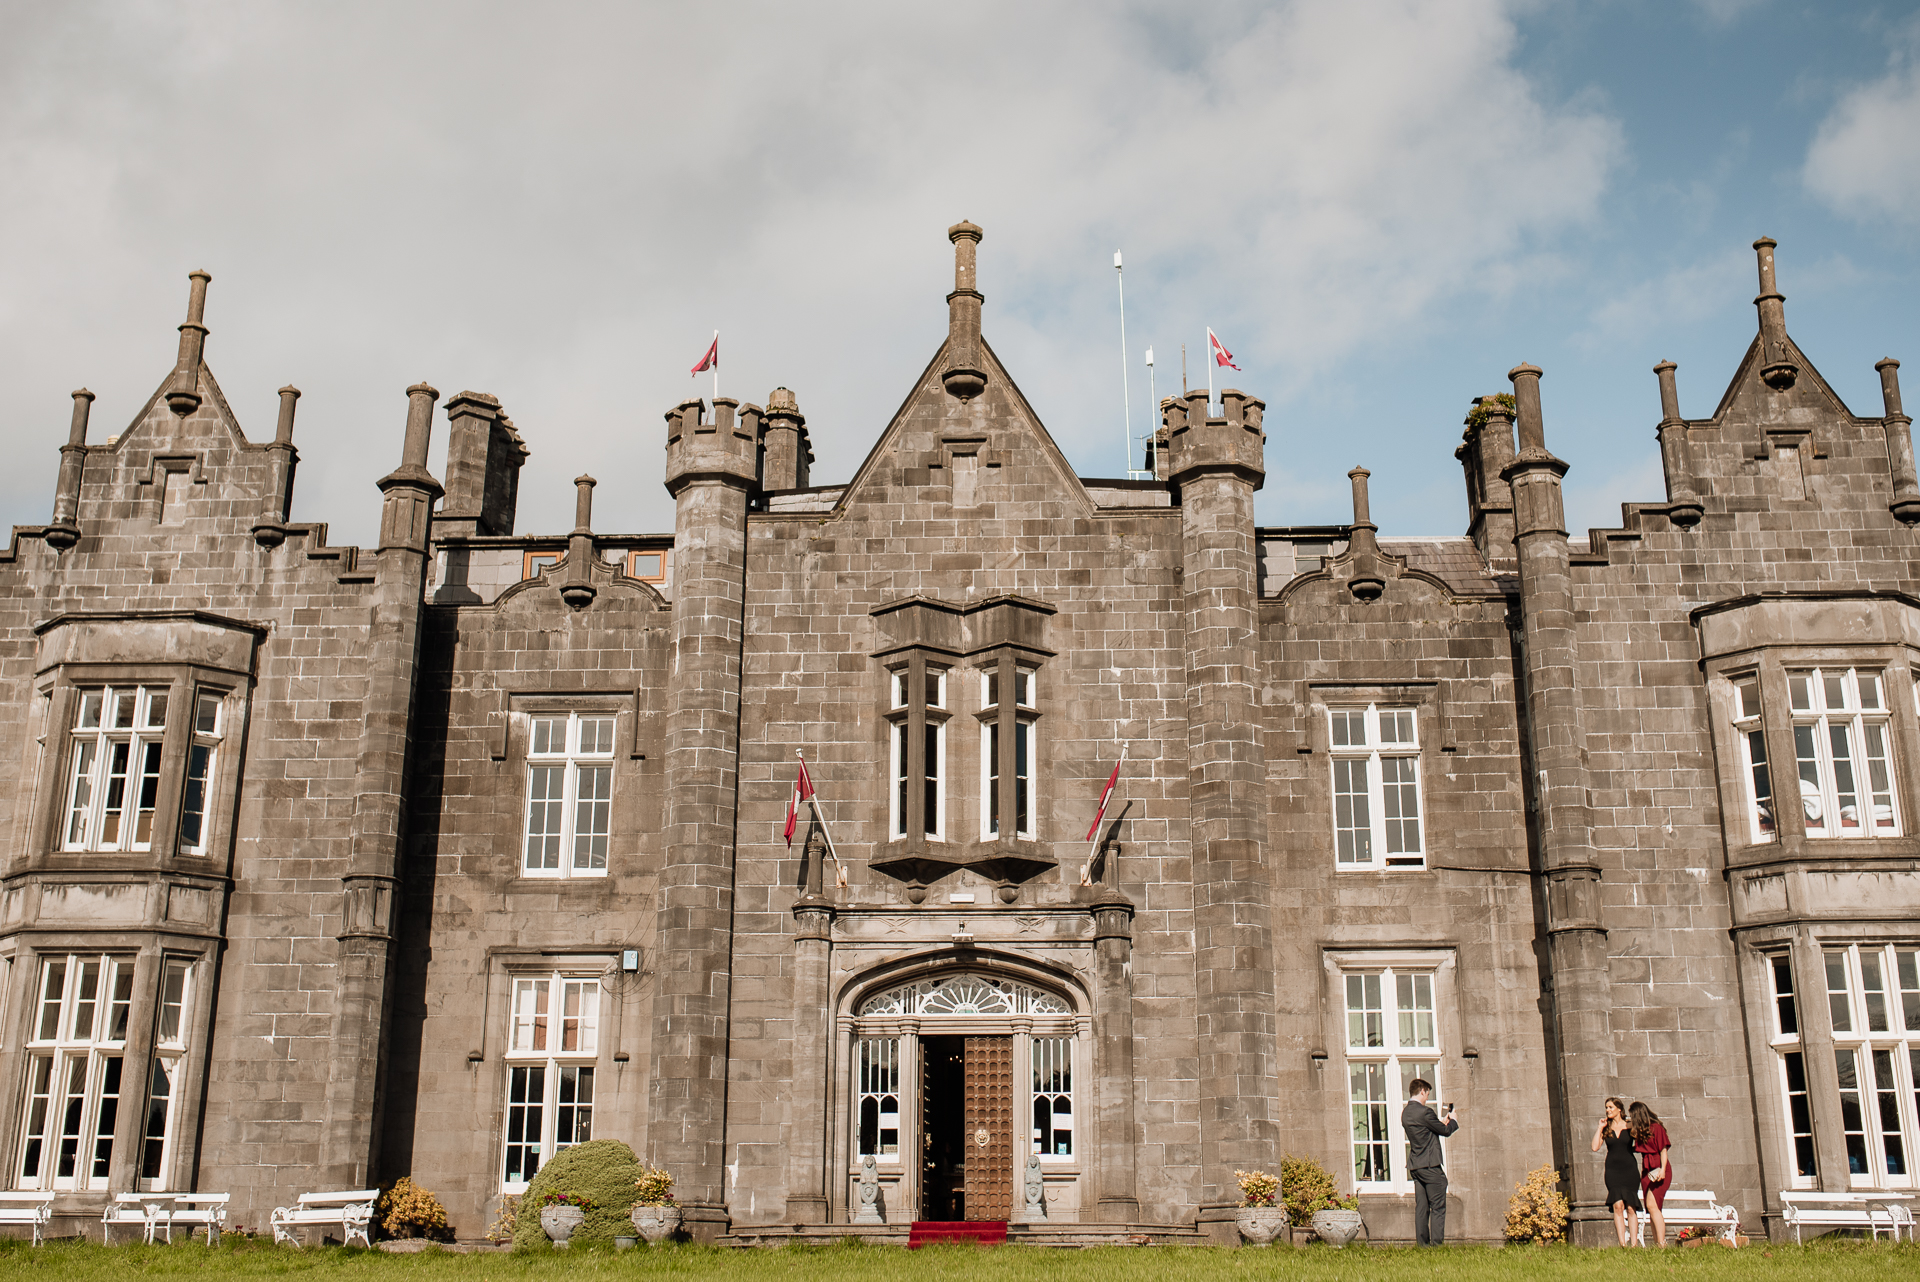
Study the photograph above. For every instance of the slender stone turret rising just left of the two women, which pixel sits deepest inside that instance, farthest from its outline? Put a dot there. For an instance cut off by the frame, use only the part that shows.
(1577, 941)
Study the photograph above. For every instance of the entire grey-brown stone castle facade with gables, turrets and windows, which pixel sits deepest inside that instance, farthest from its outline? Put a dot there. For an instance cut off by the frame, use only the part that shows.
(331, 865)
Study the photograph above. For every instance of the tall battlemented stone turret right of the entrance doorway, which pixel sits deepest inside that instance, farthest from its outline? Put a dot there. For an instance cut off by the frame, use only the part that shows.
(1218, 465)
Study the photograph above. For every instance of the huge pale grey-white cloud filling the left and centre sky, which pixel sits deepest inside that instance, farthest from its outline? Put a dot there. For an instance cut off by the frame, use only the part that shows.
(560, 204)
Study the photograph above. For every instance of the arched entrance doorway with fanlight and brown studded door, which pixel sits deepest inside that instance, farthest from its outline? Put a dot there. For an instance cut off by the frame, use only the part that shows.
(955, 1080)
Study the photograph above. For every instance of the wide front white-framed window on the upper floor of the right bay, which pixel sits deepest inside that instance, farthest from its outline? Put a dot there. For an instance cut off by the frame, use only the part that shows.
(1844, 753)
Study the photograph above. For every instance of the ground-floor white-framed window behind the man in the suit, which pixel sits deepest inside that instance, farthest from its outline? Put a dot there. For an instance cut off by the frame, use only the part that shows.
(1393, 1037)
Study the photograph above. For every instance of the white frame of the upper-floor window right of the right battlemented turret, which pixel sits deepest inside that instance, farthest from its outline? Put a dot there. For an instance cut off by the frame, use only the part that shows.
(1372, 757)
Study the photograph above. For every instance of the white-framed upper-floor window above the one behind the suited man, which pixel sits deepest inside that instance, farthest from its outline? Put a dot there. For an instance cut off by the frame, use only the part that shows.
(1376, 788)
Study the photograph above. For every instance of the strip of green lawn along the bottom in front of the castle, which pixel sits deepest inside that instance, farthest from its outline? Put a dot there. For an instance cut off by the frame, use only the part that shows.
(1831, 1262)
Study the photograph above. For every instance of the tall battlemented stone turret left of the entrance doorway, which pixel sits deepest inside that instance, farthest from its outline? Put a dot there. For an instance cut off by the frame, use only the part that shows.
(711, 469)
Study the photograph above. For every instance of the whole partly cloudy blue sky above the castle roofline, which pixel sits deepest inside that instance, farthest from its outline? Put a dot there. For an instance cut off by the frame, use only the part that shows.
(1380, 206)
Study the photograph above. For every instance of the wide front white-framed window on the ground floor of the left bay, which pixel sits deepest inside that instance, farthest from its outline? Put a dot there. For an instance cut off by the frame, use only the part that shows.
(76, 1062)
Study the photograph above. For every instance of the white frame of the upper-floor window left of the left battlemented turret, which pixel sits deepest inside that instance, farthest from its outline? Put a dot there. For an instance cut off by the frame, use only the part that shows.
(575, 761)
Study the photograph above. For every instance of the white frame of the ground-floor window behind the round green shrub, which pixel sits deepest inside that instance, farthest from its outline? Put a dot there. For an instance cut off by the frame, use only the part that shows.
(539, 1032)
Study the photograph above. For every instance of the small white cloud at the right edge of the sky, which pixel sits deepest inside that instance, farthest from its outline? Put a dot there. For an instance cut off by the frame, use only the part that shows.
(1865, 158)
